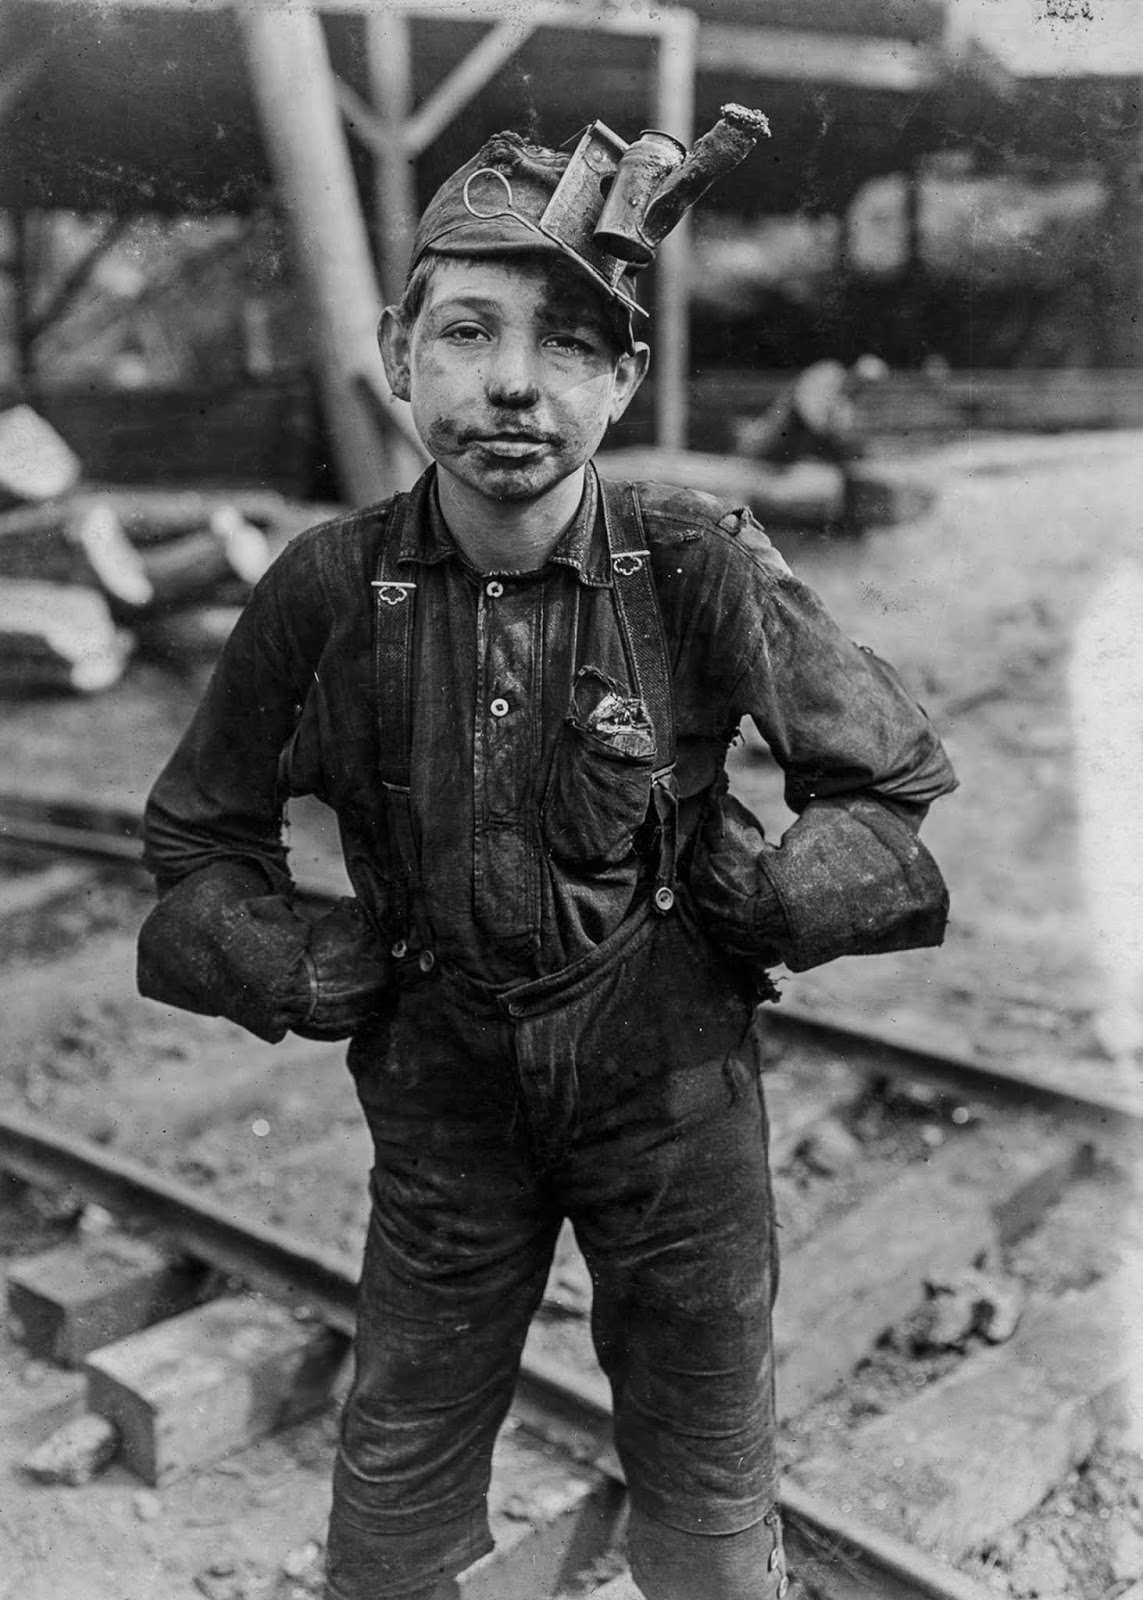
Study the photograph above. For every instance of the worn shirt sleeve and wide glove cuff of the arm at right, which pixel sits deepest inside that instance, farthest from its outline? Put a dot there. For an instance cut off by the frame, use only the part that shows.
(862, 764)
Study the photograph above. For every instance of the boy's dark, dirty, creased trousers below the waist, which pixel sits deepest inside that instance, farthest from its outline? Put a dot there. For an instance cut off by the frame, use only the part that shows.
(627, 1097)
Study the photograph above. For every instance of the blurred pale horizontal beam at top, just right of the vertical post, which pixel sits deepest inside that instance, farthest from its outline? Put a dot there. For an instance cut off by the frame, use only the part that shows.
(848, 60)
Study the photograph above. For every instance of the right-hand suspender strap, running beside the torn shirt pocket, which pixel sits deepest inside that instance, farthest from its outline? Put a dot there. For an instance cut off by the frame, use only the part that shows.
(643, 625)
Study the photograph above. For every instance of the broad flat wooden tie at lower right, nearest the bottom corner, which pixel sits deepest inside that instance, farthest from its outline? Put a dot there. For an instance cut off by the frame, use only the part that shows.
(974, 1454)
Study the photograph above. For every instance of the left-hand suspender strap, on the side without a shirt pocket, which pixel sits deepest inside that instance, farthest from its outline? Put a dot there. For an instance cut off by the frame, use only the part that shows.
(395, 633)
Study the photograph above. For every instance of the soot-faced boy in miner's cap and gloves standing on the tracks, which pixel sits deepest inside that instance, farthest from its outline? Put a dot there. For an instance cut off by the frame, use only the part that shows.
(516, 687)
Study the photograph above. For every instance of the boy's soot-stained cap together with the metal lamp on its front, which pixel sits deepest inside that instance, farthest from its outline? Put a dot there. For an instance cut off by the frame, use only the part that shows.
(606, 207)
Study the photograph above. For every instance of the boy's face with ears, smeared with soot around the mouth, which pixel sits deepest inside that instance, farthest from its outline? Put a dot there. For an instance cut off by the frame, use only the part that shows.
(511, 372)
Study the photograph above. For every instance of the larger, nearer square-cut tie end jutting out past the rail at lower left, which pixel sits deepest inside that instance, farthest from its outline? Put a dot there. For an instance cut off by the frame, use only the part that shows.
(212, 1382)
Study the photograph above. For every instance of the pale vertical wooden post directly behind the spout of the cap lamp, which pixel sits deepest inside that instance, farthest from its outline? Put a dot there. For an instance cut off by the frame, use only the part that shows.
(675, 113)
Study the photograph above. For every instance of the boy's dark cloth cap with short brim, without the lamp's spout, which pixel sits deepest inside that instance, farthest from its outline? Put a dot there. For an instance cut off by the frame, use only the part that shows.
(495, 204)
